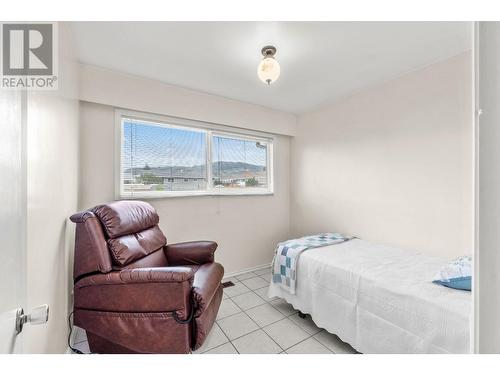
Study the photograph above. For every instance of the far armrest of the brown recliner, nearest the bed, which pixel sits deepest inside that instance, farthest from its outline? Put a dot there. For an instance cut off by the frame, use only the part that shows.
(190, 253)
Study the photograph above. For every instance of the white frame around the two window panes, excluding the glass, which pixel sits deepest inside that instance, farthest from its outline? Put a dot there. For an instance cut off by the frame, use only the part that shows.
(210, 130)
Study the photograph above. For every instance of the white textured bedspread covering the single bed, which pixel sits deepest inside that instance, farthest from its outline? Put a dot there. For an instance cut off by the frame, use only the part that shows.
(381, 299)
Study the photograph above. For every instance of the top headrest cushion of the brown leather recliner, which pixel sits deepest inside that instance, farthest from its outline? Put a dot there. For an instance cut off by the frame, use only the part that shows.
(120, 218)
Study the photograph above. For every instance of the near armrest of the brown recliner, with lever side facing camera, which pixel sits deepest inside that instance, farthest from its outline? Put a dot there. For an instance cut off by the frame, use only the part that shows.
(161, 289)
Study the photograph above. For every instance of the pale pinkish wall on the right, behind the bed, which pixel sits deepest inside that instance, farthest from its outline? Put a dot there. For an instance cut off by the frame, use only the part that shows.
(392, 164)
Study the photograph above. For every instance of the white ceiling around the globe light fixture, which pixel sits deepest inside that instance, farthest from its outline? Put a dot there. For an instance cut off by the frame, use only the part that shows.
(320, 61)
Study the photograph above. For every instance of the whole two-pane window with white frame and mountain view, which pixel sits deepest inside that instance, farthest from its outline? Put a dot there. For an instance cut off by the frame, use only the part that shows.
(161, 157)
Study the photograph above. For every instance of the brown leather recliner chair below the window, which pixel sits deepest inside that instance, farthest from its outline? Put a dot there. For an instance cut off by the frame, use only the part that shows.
(133, 293)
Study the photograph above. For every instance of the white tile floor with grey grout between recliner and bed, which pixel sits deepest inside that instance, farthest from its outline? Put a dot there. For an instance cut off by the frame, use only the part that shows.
(249, 322)
